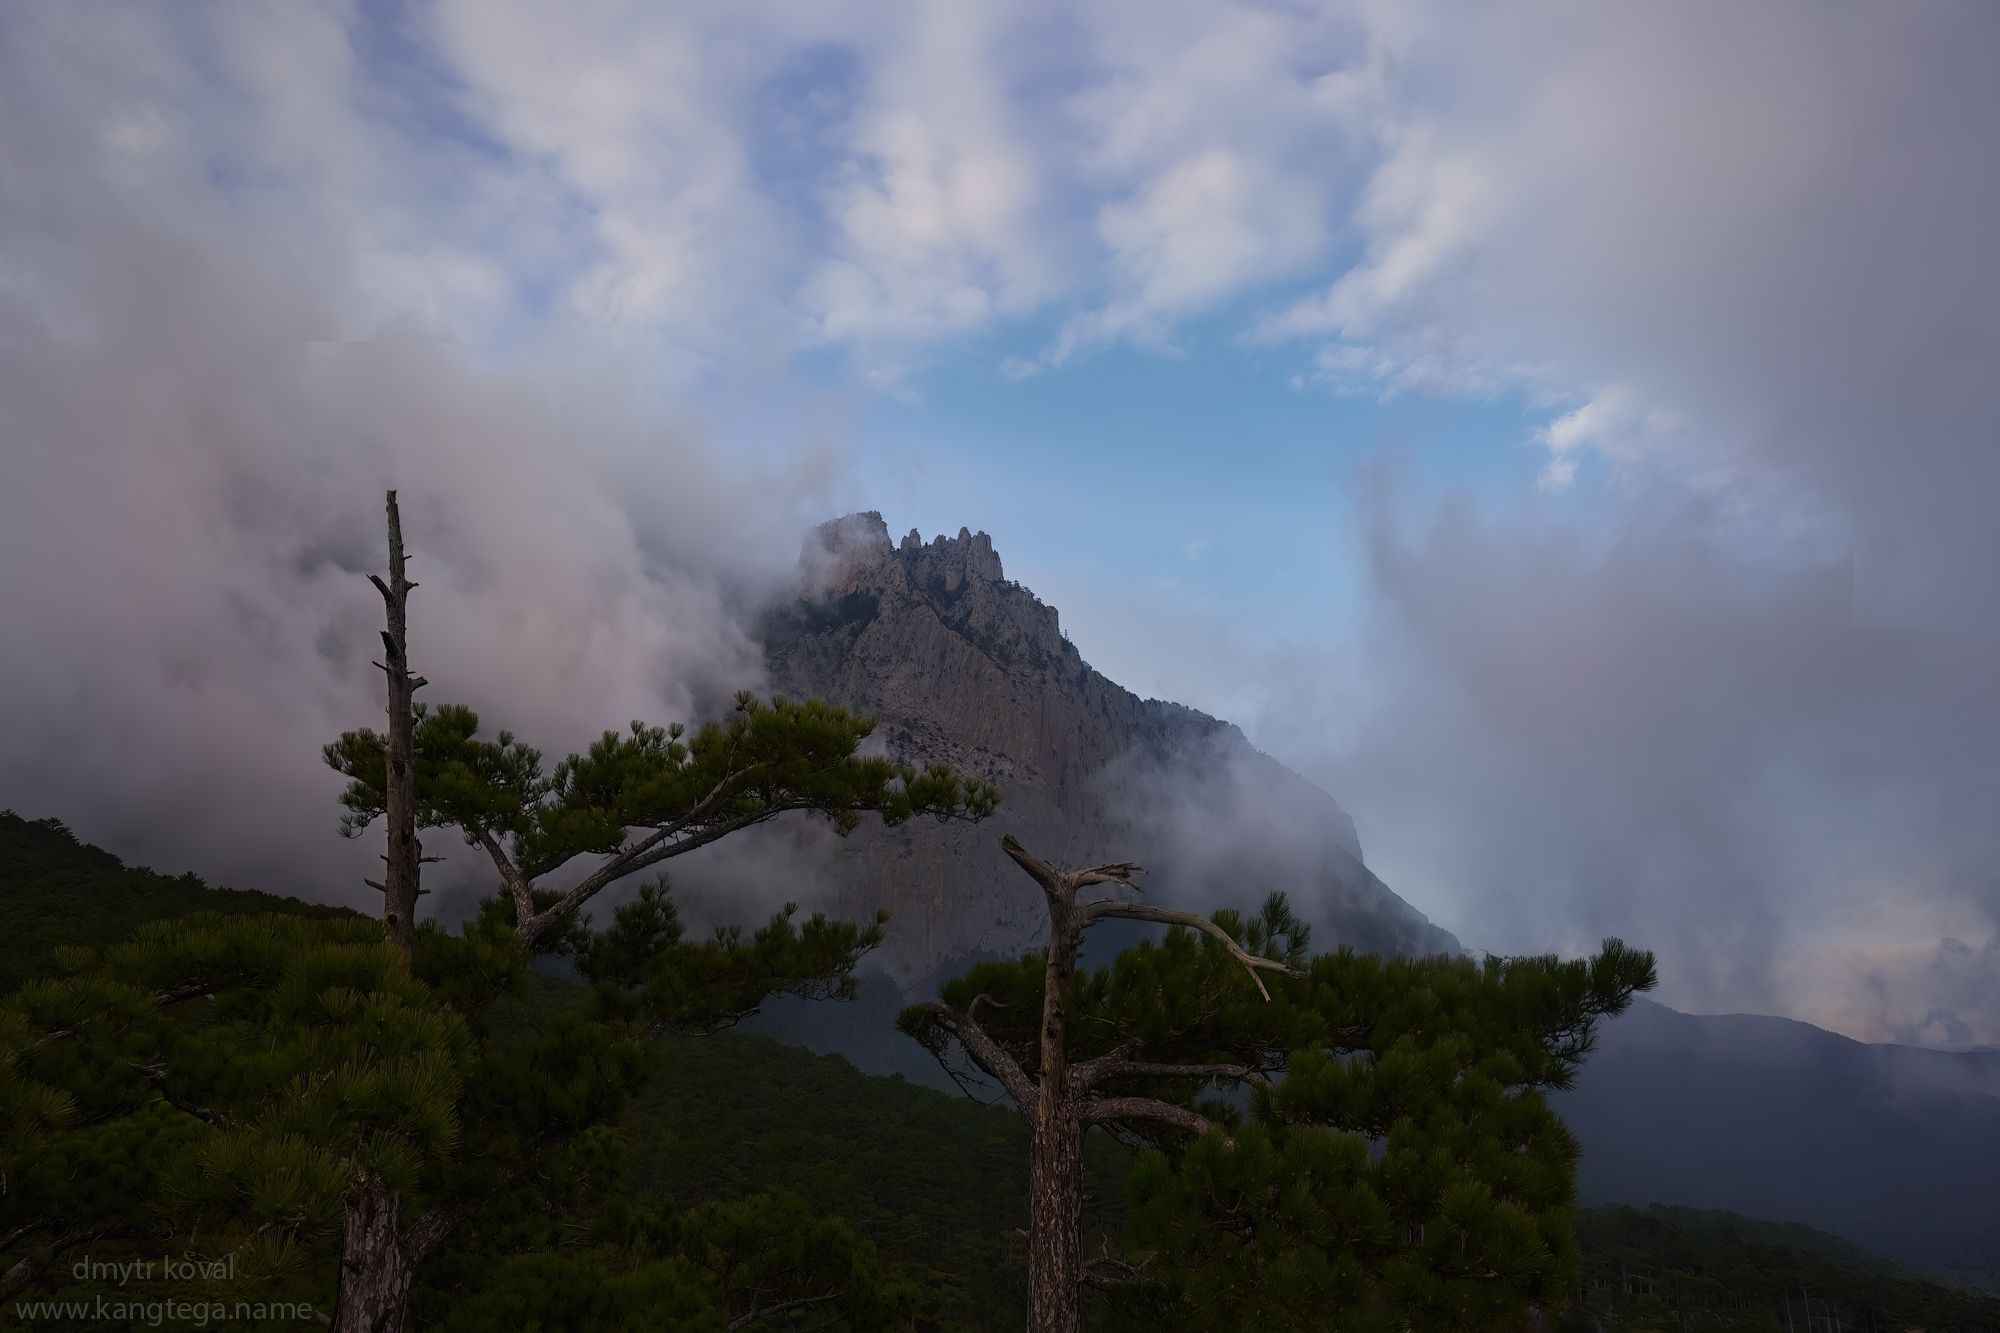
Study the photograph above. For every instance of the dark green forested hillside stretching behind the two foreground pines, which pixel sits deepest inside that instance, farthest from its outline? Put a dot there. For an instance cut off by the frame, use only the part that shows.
(919, 1188)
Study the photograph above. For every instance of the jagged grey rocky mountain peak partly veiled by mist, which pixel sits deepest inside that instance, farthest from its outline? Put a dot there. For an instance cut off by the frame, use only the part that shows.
(965, 668)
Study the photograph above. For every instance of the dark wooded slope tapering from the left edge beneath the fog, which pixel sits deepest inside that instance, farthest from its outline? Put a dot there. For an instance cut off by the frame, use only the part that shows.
(59, 892)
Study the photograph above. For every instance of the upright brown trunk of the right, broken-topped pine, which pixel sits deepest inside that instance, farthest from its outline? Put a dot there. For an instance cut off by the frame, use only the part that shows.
(1057, 1158)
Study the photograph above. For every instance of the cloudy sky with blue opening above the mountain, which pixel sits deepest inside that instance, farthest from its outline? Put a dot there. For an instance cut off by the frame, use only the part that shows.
(1563, 431)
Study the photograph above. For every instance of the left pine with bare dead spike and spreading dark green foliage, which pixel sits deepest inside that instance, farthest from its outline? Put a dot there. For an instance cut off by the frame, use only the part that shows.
(329, 1104)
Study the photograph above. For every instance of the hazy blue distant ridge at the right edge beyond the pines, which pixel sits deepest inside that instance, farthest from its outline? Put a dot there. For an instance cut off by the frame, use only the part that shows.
(1891, 1148)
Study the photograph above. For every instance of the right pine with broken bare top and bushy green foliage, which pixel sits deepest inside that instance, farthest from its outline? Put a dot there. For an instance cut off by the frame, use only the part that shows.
(1395, 1154)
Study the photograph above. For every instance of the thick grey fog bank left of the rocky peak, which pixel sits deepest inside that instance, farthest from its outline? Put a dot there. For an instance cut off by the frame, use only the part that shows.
(201, 417)
